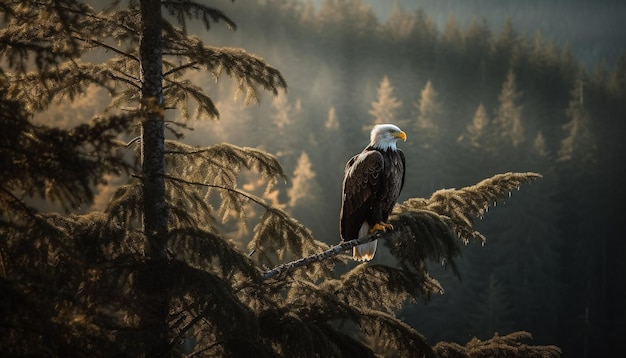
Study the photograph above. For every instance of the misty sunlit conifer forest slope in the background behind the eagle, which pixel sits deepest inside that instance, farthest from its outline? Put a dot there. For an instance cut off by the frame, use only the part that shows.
(474, 100)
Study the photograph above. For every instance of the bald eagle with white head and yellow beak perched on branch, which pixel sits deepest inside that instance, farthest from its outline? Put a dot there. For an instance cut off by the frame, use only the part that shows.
(372, 183)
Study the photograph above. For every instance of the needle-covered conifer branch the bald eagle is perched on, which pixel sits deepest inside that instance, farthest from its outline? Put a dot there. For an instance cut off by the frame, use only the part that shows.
(429, 228)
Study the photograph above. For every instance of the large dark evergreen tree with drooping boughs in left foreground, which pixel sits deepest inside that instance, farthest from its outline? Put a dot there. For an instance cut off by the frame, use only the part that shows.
(145, 73)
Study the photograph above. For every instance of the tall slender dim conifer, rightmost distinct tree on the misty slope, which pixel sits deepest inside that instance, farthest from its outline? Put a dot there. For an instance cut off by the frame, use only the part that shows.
(577, 159)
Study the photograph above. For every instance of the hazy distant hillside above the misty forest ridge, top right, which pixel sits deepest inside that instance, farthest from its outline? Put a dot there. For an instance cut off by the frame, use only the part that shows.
(593, 29)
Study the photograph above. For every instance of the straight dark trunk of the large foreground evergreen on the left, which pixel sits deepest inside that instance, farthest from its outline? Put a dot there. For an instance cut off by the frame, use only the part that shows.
(153, 302)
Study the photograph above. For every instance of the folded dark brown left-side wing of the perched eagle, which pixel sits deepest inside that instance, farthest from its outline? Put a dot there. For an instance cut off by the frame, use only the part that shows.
(363, 178)
